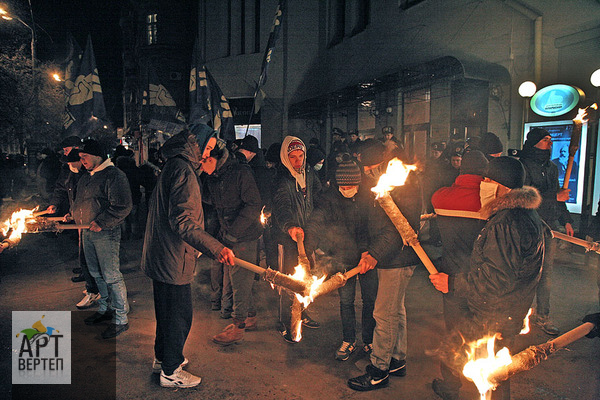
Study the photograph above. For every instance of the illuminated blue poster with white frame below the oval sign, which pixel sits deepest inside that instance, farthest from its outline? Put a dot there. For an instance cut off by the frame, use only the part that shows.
(561, 132)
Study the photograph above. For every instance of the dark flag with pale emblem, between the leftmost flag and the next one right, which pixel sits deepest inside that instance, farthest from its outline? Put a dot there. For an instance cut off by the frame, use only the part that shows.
(158, 107)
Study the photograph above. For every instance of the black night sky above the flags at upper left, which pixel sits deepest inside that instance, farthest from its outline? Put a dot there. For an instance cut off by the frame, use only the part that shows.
(98, 18)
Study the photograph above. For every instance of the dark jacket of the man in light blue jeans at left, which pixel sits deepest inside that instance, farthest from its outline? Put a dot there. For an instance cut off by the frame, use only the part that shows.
(103, 197)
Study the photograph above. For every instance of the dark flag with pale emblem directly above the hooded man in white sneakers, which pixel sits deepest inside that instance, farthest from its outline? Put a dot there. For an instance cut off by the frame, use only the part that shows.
(208, 105)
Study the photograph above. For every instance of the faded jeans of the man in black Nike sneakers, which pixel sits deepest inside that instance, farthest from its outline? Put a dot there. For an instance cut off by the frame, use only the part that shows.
(390, 335)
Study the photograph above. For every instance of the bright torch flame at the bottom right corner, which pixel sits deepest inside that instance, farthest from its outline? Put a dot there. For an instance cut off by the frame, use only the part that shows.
(479, 369)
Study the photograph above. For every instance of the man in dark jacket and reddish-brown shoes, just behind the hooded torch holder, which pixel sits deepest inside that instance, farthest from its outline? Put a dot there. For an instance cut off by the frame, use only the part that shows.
(233, 193)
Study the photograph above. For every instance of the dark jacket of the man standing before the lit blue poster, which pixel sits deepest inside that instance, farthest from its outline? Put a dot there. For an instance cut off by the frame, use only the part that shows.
(543, 175)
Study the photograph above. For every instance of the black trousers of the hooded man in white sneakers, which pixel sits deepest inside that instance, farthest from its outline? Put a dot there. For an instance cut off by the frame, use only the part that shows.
(174, 312)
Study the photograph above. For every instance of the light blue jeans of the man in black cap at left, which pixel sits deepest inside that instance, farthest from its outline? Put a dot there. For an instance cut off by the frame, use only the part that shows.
(102, 256)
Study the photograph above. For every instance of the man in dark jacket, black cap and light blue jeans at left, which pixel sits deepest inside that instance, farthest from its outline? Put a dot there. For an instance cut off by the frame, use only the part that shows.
(103, 201)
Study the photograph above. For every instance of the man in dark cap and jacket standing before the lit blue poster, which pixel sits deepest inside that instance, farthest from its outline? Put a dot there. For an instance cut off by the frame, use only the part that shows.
(542, 174)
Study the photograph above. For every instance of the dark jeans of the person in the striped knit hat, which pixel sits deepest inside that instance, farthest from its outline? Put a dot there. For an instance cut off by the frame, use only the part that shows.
(368, 293)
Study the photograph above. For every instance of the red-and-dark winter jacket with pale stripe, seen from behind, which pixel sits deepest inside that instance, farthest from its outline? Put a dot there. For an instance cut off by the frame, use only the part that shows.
(459, 220)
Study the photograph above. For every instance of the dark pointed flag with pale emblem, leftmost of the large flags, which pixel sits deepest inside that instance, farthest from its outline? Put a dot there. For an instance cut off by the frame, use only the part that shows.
(86, 103)
